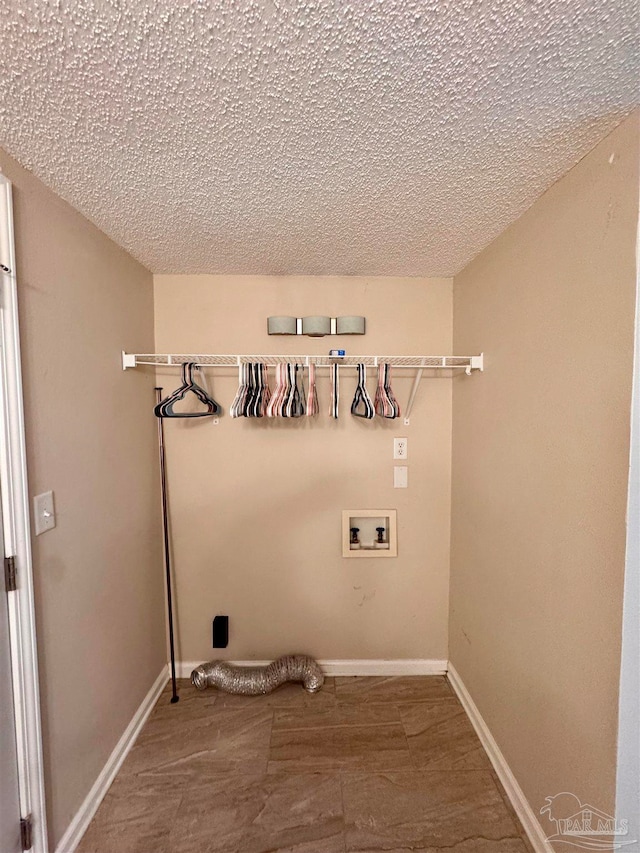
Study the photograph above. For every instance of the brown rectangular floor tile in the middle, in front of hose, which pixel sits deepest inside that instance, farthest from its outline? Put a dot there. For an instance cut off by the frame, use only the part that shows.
(381, 747)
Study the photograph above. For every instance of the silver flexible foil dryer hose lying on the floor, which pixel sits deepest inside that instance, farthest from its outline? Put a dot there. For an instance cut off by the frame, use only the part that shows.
(254, 680)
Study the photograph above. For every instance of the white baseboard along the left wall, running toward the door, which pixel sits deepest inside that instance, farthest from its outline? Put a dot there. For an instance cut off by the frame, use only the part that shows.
(89, 807)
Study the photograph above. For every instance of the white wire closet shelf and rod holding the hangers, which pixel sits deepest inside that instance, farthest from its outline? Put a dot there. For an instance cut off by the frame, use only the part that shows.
(422, 362)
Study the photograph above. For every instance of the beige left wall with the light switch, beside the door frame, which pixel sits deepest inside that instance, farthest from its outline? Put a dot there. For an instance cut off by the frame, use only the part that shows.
(91, 438)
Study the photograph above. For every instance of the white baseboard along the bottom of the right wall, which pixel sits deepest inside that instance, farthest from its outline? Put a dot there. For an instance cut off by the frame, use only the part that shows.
(527, 816)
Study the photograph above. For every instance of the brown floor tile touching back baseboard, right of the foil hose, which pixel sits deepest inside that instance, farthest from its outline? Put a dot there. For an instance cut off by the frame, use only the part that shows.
(392, 689)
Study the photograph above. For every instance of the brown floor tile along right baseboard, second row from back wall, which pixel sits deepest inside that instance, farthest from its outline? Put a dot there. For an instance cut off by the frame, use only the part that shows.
(440, 737)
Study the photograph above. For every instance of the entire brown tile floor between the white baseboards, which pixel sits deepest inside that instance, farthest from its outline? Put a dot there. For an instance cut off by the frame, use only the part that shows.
(367, 764)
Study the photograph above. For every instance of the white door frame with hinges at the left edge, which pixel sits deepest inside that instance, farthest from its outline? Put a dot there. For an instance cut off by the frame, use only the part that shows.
(17, 541)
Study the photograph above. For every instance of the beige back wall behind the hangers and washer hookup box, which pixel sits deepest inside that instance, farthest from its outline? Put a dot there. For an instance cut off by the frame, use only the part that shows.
(256, 505)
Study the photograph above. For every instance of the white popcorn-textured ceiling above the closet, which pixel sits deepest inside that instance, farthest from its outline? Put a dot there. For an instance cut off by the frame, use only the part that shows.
(389, 137)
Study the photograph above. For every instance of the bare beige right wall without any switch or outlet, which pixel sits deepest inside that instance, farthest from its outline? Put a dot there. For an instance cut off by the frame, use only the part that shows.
(540, 466)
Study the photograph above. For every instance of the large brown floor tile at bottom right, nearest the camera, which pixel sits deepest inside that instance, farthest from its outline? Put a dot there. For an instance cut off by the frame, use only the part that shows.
(417, 810)
